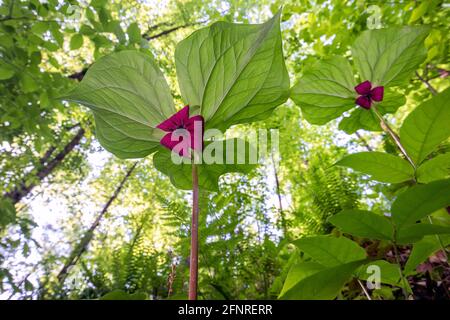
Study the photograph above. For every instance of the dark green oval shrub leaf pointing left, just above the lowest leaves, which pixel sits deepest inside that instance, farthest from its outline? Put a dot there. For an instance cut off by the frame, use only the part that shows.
(363, 224)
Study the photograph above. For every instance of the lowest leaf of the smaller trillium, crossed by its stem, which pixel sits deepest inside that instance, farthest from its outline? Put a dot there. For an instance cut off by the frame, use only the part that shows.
(363, 119)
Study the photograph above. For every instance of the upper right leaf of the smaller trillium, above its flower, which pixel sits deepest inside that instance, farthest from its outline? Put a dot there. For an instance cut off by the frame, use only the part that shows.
(388, 57)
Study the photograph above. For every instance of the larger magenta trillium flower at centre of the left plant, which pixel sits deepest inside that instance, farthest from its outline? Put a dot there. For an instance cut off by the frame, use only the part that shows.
(183, 131)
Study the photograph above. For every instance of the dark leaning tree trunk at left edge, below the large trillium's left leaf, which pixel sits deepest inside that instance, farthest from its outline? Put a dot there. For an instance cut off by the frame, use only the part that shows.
(24, 189)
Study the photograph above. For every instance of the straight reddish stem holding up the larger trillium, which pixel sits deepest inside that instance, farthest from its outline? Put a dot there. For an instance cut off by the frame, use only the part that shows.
(193, 265)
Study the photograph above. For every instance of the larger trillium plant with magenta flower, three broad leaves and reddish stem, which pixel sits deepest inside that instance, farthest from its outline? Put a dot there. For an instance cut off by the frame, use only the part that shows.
(227, 74)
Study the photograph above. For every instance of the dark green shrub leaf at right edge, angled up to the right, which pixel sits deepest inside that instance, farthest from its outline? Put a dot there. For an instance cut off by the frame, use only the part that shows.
(420, 201)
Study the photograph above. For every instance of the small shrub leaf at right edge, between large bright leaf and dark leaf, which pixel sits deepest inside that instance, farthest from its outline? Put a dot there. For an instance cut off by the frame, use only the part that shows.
(434, 169)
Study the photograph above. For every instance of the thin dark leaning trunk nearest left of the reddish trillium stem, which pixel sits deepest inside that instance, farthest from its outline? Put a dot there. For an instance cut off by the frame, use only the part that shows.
(84, 242)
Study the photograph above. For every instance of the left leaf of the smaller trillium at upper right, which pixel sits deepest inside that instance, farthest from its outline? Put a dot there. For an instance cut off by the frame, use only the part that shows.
(325, 91)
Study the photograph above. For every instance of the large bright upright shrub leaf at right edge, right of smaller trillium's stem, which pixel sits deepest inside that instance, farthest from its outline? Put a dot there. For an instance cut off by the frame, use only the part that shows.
(426, 127)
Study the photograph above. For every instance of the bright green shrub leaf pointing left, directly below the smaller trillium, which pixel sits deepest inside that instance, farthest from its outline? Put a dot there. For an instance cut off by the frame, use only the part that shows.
(380, 166)
